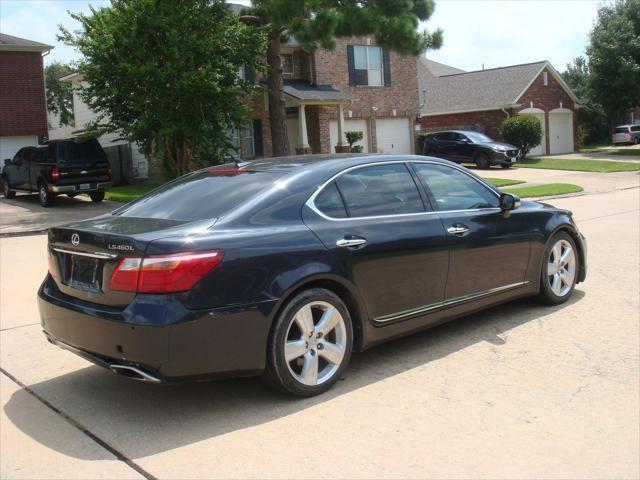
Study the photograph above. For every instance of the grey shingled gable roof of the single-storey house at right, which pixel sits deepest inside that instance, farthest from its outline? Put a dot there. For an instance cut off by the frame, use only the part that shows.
(489, 89)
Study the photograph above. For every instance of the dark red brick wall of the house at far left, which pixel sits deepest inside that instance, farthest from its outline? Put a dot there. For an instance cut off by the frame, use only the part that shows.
(23, 108)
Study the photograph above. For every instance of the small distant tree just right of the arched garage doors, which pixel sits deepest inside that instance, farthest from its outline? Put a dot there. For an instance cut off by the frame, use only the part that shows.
(591, 117)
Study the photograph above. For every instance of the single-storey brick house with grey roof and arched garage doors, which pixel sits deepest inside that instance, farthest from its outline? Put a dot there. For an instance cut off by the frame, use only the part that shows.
(481, 100)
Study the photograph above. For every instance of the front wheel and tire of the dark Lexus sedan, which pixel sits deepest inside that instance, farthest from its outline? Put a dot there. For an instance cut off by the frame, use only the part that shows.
(558, 287)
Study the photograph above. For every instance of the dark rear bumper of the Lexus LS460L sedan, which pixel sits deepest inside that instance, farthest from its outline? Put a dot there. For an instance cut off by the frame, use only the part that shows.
(156, 339)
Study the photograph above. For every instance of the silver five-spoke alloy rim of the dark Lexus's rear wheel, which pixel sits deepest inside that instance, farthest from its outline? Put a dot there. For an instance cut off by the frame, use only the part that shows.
(316, 343)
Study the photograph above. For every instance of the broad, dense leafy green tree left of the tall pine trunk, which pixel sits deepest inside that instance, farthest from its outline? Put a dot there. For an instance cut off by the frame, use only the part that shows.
(165, 75)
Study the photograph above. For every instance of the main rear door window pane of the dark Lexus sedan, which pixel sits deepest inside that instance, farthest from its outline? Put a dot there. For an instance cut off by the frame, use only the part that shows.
(380, 190)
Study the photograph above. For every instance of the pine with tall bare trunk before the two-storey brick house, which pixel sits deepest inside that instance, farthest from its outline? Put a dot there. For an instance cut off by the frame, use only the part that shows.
(314, 24)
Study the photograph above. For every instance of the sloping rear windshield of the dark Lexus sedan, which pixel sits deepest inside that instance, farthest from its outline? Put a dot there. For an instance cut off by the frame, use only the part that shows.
(202, 195)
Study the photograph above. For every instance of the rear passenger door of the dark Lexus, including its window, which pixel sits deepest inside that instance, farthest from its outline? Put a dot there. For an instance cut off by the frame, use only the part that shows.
(382, 239)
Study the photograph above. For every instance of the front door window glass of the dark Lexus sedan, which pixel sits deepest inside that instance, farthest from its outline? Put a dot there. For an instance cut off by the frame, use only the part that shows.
(453, 189)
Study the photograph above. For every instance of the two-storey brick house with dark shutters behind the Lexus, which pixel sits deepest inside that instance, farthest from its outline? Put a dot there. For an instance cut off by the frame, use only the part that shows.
(357, 86)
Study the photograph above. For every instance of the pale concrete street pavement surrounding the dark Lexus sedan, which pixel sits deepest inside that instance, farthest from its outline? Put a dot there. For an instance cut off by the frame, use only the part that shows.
(518, 391)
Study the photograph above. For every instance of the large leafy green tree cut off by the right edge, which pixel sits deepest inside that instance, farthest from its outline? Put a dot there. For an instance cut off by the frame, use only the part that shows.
(614, 58)
